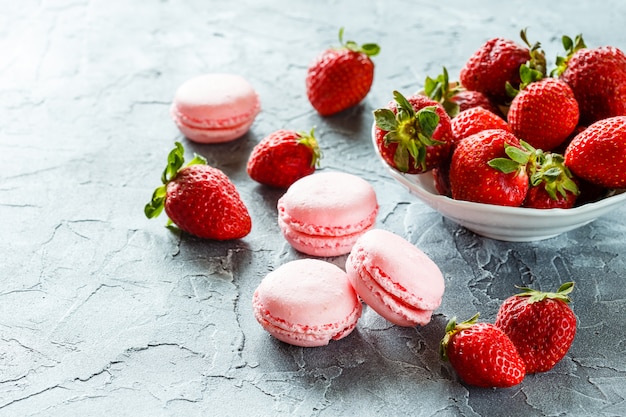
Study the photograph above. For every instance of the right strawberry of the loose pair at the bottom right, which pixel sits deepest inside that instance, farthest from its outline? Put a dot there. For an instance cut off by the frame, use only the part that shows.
(541, 325)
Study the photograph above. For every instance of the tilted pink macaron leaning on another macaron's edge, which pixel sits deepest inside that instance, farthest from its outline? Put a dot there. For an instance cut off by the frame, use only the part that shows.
(395, 278)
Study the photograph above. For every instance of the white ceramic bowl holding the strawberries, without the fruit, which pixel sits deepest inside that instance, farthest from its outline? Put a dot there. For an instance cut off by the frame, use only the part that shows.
(513, 224)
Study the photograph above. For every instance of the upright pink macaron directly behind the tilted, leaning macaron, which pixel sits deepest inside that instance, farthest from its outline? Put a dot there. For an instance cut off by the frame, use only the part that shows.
(323, 214)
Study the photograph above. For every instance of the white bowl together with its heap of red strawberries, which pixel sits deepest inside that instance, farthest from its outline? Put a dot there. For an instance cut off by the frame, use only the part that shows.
(514, 150)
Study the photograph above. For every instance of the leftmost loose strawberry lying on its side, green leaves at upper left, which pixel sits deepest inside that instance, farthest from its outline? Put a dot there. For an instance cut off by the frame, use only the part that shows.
(199, 199)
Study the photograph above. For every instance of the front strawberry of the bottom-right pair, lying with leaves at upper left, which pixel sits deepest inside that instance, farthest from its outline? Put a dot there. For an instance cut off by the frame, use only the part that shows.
(482, 355)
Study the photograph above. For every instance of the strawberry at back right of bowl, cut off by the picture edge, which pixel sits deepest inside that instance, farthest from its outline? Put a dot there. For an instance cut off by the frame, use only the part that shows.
(597, 77)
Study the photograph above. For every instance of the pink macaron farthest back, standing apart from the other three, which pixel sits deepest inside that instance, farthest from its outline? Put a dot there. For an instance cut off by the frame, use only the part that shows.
(215, 108)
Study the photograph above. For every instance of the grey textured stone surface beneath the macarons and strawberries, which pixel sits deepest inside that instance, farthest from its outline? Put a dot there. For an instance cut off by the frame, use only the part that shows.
(103, 312)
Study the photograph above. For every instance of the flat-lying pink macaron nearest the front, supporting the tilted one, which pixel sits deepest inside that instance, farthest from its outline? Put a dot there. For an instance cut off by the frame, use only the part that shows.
(307, 302)
